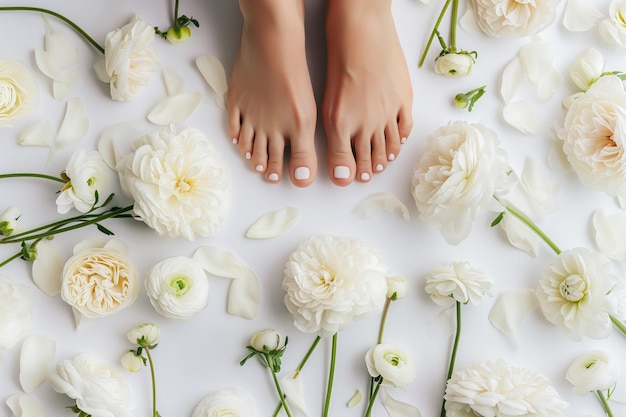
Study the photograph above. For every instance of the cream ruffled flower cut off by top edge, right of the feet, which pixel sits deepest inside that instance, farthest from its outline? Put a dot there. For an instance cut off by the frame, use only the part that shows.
(514, 17)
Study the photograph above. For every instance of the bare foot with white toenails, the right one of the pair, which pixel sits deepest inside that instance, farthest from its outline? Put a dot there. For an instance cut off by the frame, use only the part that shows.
(368, 97)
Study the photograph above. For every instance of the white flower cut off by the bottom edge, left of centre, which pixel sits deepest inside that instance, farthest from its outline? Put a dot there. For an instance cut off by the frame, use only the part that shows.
(226, 403)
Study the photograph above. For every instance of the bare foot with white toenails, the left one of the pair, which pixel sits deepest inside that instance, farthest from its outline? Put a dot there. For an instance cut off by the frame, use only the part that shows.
(270, 98)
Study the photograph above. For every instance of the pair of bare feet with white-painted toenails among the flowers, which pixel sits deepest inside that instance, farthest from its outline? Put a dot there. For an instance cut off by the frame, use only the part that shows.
(367, 100)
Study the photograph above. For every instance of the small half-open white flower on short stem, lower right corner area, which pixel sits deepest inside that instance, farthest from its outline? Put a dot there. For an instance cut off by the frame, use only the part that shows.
(593, 371)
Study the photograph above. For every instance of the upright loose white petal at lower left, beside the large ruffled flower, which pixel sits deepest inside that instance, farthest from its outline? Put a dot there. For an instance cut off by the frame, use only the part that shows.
(38, 352)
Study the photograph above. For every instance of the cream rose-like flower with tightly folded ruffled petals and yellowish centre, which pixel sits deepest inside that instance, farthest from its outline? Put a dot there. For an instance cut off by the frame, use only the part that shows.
(99, 279)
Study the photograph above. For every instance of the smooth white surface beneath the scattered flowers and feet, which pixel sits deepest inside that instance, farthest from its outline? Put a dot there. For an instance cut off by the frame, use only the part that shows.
(203, 354)
